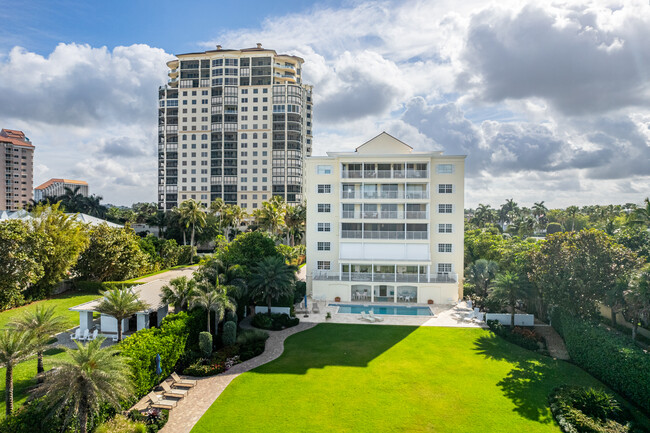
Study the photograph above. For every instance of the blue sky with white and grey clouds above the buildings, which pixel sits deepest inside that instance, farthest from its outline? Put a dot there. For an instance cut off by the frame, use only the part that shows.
(549, 100)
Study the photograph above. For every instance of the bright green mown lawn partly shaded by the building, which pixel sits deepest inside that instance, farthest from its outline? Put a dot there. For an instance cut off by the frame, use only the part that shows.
(361, 378)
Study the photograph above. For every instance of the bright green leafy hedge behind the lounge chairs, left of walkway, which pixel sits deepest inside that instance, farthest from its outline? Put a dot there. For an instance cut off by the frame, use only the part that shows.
(141, 349)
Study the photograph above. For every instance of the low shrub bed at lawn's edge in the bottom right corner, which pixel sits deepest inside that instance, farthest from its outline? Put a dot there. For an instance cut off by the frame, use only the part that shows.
(589, 410)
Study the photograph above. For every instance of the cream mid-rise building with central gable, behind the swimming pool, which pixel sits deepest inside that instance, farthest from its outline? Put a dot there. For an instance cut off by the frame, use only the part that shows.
(385, 224)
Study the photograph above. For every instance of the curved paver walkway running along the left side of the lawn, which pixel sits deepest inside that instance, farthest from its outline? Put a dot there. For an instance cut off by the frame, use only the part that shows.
(190, 409)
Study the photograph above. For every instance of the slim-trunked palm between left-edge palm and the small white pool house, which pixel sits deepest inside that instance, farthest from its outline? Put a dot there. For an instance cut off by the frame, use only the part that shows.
(43, 322)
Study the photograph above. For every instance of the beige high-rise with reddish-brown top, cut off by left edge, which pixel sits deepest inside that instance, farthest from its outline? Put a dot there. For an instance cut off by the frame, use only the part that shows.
(17, 170)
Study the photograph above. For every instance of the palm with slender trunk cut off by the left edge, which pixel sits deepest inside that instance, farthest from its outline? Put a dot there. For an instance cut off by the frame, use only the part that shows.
(15, 346)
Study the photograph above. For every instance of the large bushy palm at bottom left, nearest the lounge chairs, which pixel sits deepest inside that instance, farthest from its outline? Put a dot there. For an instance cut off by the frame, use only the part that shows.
(91, 378)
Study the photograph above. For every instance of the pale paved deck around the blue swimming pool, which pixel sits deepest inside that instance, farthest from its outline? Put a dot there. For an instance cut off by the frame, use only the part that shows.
(454, 316)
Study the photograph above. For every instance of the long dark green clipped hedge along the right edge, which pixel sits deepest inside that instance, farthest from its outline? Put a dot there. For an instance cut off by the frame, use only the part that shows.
(612, 358)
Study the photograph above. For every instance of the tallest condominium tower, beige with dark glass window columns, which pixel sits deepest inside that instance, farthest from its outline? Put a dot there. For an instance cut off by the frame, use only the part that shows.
(233, 124)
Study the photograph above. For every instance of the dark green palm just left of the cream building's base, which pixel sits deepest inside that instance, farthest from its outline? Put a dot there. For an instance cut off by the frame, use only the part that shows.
(272, 279)
